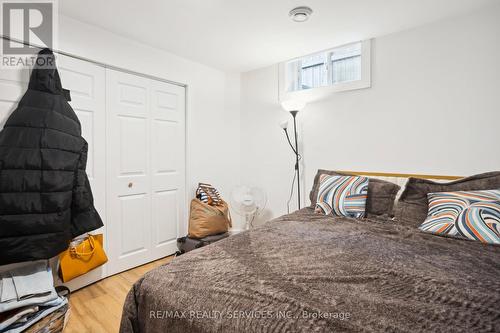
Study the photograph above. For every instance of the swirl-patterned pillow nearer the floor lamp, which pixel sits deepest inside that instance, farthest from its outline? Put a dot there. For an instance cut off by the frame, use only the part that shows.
(342, 195)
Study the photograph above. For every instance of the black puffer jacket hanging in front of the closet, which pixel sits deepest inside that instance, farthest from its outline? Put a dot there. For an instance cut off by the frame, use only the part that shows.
(45, 196)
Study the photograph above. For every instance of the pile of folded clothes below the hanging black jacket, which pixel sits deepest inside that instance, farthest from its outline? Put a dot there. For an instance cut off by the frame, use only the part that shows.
(28, 298)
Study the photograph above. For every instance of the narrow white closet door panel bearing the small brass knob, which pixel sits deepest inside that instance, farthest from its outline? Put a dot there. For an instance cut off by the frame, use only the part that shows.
(129, 181)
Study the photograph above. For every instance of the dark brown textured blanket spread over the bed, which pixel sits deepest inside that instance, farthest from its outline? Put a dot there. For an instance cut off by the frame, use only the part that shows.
(305, 272)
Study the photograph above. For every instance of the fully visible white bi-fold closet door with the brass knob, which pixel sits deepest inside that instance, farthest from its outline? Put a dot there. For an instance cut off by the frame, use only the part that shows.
(145, 144)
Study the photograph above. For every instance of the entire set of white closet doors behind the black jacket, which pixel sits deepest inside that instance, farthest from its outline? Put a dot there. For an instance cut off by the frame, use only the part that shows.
(135, 128)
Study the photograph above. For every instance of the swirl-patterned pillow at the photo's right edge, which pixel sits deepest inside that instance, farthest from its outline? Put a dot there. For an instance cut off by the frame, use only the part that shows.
(470, 214)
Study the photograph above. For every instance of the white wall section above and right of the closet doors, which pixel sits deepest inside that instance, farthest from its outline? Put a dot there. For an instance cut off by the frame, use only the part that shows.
(212, 106)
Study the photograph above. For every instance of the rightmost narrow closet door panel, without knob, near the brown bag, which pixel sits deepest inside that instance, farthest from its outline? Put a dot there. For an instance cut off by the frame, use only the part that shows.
(168, 164)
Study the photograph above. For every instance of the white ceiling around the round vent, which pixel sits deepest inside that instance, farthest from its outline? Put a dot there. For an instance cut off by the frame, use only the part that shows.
(241, 35)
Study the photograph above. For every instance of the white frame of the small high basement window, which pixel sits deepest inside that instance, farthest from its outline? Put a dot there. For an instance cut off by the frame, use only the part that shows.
(316, 93)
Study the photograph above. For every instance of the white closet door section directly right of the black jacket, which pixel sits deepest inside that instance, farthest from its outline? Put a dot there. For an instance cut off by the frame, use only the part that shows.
(86, 82)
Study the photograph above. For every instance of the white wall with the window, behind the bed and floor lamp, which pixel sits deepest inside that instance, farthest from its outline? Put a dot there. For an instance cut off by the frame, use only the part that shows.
(433, 108)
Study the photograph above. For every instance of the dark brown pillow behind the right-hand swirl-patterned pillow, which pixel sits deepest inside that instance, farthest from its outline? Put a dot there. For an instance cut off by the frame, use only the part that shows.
(411, 208)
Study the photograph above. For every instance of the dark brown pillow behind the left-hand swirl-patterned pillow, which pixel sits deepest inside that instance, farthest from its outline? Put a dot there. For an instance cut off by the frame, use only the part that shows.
(381, 194)
